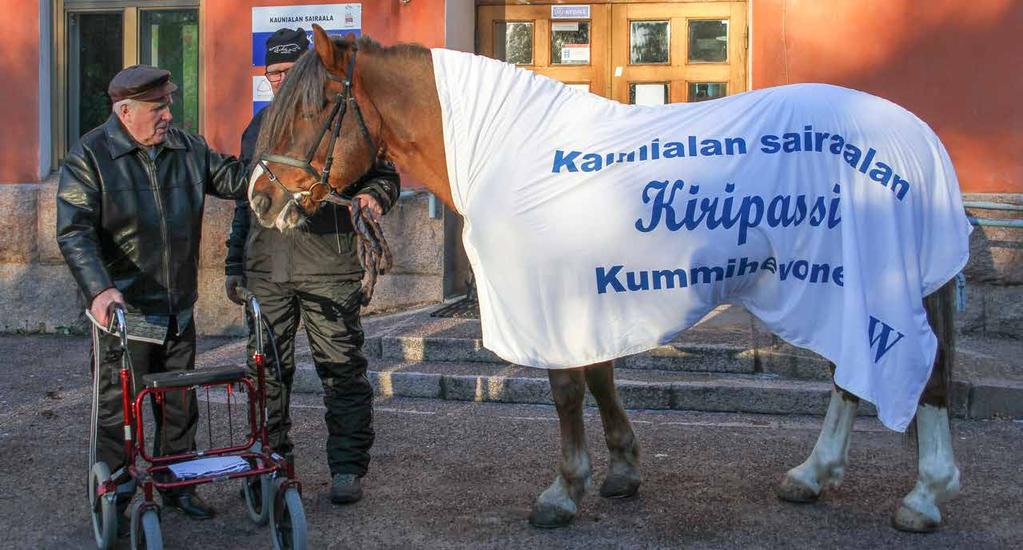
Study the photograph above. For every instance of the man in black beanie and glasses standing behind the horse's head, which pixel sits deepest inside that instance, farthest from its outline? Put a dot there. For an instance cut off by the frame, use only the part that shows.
(314, 274)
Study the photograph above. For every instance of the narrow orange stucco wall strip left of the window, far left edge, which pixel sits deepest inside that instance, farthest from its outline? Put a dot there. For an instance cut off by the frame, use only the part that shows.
(20, 96)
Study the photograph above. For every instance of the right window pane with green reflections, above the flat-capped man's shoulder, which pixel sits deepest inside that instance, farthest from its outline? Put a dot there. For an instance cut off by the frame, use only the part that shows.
(169, 39)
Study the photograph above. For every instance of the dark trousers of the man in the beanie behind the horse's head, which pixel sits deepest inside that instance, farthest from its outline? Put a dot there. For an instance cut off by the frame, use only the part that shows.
(336, 342)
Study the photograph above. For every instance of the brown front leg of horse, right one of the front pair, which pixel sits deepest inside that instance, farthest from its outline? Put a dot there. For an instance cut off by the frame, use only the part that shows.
(624, 470)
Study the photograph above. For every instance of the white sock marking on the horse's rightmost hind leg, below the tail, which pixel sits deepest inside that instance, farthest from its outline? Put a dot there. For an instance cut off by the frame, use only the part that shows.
(938, 478)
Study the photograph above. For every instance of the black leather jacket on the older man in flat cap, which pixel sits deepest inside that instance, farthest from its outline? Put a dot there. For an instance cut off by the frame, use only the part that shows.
(128, 221)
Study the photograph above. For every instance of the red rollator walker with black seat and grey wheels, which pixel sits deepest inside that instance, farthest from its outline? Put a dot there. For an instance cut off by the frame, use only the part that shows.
(271, 488)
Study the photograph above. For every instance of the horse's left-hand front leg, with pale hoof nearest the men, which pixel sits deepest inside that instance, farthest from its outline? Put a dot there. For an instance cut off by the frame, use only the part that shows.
(557, 507)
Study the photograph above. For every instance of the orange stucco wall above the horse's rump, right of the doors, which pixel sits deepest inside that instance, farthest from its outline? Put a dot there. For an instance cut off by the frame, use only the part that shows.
(955, 64)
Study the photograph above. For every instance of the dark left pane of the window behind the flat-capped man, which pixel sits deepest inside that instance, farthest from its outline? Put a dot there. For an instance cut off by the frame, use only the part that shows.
(95, 56)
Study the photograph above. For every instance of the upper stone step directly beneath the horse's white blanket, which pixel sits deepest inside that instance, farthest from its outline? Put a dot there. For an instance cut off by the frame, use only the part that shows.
(778, 359)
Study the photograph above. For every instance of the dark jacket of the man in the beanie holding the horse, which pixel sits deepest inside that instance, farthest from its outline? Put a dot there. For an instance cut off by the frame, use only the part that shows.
(324, 249)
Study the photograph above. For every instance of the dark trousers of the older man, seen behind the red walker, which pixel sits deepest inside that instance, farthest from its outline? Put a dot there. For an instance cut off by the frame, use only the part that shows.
(176, 421)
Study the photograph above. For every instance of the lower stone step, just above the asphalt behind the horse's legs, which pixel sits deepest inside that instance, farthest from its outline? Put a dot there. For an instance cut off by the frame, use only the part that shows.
(482, 382)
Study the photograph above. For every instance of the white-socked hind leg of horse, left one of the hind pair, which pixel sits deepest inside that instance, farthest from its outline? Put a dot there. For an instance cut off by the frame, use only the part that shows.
(826, 466)
